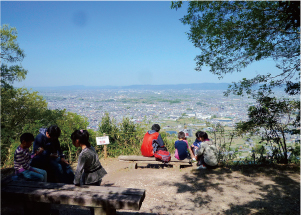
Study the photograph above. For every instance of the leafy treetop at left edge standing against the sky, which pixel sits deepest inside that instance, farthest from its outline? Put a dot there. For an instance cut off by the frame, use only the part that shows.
(11, 53)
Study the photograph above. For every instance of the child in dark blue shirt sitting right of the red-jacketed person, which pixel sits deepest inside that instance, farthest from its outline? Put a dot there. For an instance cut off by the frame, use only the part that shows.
(182, 147)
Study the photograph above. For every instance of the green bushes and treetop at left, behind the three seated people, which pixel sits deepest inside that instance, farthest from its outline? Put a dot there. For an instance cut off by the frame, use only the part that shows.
(23, 110)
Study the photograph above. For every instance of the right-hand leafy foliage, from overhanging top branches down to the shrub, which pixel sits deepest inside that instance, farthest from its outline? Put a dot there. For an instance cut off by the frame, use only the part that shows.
(233, 34)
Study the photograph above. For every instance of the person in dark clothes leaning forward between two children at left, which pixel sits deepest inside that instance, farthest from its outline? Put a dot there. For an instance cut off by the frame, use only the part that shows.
(51, 157)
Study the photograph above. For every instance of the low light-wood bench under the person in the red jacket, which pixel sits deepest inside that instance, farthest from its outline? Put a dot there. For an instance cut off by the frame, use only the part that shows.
(135, 160)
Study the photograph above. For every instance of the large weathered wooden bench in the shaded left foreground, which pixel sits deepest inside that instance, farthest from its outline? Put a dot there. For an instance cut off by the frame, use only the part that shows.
(38, 196)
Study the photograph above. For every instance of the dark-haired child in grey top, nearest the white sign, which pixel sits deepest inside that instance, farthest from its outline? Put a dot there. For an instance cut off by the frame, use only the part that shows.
(88, 167)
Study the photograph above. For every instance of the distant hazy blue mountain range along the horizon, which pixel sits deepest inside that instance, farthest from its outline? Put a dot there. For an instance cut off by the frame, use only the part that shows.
(202, 86)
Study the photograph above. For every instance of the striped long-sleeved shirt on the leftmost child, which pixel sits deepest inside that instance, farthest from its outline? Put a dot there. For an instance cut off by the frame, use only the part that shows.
(22, 159)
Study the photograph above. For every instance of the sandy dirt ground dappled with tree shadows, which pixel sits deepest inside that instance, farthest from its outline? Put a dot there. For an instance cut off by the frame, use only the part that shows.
(248, 190)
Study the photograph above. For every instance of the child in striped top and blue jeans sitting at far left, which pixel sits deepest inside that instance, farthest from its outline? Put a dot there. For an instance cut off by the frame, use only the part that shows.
(22, 160)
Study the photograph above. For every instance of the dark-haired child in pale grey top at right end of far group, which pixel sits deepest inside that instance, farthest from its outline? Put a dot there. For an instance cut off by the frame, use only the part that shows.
(207, 153)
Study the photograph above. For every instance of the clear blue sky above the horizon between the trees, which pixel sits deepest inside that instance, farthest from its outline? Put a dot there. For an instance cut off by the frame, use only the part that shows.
(101, 43)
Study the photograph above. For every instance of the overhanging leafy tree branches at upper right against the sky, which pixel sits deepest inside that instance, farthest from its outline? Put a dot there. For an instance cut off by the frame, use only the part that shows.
(233, 34)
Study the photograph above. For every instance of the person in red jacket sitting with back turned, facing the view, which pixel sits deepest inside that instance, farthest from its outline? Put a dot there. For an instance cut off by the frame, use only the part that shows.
(152, 141)
